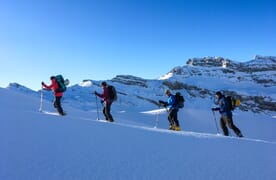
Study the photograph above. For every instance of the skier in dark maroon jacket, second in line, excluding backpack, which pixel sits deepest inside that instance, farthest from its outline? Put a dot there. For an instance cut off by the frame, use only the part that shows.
(106, 101)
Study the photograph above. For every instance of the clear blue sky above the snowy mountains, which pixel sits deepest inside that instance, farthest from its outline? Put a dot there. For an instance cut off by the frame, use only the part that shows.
(99, 39)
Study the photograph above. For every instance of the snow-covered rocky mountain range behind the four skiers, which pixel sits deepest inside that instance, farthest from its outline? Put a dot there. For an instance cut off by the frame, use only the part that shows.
(253, 82)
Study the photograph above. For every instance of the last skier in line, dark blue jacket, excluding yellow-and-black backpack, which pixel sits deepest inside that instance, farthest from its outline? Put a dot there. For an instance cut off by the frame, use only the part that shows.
(226, 115)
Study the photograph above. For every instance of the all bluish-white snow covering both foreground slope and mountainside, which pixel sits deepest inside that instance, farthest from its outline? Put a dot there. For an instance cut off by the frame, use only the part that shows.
(42, 145)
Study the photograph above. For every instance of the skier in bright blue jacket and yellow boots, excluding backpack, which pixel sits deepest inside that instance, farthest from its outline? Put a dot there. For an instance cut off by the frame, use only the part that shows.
(172, 112)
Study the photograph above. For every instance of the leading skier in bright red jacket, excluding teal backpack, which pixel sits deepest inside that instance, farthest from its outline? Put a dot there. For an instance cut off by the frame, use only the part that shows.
(58, 95)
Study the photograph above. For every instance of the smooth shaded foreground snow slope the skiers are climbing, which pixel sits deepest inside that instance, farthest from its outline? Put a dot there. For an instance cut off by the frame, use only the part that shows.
(36, 146)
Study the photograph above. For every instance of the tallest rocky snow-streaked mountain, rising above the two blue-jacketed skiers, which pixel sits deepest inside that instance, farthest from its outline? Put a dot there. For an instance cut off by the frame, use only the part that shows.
(253, 82)
